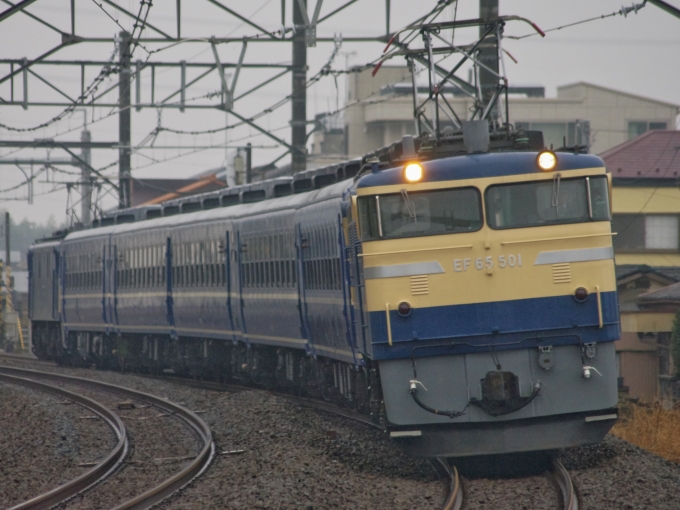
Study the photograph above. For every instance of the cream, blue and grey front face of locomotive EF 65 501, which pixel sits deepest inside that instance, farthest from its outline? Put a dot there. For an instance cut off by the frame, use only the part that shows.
(489, 281)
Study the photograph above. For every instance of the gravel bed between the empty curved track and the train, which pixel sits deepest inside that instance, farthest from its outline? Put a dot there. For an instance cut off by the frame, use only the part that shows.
(293, 457)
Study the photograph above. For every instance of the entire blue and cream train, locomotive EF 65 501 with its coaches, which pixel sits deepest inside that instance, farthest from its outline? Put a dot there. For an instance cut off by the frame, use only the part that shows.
(466, 300)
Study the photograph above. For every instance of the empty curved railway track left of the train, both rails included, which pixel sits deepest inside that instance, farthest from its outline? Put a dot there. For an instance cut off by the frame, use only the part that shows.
(150, 497)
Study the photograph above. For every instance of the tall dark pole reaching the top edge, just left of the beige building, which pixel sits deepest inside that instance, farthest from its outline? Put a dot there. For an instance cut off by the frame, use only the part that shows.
(299, 102)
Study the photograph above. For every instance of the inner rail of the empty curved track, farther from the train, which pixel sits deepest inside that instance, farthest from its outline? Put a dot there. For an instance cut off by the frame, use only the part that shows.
(93, 476)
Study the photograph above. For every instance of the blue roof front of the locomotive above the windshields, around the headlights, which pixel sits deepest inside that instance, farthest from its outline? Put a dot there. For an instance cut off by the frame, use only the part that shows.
(476, 166)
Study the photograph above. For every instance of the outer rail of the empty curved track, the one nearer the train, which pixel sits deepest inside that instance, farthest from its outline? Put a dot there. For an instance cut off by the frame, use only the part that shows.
(172, 484)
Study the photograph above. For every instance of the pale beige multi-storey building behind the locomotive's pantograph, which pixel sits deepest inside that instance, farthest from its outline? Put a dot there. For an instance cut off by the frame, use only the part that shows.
(380, 112)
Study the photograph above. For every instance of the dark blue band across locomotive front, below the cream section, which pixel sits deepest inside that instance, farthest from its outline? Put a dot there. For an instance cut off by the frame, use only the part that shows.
(503, 324)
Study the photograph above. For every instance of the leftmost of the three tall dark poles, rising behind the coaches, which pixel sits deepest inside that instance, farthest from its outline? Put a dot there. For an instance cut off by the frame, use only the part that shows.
(124, 122)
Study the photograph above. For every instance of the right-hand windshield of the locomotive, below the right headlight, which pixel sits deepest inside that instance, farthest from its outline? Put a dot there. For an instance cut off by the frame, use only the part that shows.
(532, 204)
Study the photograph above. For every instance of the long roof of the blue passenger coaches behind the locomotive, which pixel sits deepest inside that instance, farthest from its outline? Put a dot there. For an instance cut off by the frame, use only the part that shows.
(233, 212)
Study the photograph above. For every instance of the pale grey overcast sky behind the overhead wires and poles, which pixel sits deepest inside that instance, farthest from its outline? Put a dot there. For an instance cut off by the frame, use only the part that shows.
(636, 54)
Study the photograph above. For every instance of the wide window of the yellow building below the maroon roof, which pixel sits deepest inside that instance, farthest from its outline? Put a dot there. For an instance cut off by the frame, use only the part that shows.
(637, 232)
